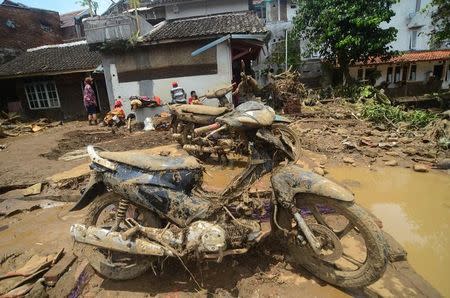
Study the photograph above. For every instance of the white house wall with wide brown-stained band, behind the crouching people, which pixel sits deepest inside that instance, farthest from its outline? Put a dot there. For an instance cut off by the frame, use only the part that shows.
(201, 82)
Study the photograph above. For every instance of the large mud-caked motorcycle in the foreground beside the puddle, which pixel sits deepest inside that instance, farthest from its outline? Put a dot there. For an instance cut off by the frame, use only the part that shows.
(144, 208)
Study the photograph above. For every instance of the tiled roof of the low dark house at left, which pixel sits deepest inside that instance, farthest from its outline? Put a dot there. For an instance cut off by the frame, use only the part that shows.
(62, 58)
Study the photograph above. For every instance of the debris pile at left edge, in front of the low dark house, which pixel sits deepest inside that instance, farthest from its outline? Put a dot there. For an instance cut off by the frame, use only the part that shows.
(11, 126)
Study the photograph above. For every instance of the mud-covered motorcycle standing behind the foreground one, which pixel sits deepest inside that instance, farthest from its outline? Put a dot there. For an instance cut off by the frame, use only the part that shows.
(190, 124)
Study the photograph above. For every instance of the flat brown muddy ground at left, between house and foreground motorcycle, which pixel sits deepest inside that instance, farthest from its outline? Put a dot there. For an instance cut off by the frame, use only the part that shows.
(30, 158)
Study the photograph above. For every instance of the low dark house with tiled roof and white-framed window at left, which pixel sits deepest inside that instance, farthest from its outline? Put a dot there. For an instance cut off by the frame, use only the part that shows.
(47, 81)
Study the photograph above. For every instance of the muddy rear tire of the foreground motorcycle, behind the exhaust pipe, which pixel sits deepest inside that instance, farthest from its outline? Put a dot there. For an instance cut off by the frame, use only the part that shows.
(96, 257)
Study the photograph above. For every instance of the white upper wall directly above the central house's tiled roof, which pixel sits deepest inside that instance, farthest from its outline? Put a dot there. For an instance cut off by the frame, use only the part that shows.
(205, 7)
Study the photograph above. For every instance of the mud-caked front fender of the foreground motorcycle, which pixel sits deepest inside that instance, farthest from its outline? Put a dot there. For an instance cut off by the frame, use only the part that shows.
(292, 180)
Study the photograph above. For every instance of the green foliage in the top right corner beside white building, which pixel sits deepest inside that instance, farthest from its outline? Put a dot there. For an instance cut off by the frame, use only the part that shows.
(440, 19)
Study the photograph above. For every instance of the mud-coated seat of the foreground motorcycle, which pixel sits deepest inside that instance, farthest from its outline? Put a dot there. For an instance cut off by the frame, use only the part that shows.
(151, 162)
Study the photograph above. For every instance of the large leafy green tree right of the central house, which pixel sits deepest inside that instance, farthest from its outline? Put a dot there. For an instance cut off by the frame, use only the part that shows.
(345, 31)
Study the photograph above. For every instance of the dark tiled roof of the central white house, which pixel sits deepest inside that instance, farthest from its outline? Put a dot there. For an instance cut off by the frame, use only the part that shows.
(208, 26)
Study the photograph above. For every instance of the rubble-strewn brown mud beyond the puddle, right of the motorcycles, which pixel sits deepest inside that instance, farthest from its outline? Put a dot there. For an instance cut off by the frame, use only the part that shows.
(338, 132)
